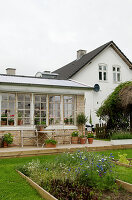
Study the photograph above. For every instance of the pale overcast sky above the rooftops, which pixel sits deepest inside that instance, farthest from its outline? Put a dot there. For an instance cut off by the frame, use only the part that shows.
(38, 35)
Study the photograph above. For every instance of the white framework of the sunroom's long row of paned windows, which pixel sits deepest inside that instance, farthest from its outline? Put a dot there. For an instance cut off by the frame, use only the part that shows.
(32, 111)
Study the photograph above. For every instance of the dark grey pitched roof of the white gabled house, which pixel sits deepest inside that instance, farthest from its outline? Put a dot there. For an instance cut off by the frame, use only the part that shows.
(67, 71)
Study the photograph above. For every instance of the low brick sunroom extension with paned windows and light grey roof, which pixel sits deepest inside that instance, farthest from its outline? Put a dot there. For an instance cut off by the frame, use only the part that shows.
(28, 101)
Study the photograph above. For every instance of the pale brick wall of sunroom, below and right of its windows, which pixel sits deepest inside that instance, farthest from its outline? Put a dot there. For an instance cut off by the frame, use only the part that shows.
(62, 133)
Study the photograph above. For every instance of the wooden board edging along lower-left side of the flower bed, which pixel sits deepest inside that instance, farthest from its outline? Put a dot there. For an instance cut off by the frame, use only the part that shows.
(44, 194)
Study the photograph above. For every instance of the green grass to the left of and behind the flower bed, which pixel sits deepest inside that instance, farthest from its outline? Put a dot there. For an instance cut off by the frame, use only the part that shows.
(12, 186)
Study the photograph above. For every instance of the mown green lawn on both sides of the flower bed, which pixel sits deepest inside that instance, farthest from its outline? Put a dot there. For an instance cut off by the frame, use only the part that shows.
(13, 187)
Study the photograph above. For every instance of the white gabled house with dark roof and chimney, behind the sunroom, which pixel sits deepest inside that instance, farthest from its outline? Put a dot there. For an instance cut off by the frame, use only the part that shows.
(105, 66)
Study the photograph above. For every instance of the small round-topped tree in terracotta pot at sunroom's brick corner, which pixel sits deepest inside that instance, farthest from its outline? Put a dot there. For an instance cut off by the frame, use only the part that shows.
(81, 120)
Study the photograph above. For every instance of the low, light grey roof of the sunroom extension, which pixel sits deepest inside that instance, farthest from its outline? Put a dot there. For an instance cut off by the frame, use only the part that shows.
(33, 81)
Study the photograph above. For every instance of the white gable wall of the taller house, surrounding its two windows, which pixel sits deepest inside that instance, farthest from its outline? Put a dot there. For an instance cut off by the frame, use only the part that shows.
(90, 76)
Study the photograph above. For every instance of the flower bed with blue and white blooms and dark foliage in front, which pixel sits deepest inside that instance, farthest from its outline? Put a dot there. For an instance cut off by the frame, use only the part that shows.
(73, 176)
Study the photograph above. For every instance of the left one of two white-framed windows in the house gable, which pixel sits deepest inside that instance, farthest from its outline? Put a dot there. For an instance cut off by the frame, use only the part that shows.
(102, 71)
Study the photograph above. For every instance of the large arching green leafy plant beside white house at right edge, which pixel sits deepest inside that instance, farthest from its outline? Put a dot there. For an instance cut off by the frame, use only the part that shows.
(113, 111)
